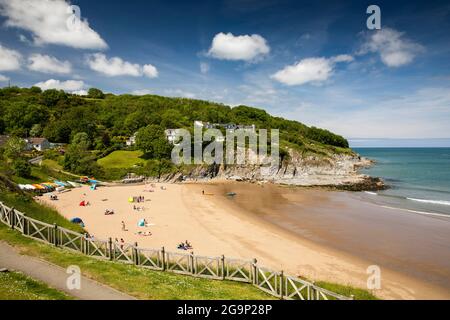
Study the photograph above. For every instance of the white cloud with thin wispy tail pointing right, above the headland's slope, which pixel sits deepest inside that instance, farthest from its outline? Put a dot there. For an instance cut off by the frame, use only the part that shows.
(309, 70)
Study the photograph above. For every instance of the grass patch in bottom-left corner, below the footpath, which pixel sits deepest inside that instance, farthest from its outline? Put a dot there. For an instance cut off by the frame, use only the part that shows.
(17, 286)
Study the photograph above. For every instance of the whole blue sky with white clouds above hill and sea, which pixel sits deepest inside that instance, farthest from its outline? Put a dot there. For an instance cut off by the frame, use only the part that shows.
(311, 61)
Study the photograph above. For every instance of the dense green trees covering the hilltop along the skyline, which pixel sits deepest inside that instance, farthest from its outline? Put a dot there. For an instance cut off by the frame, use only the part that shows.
(109, 119)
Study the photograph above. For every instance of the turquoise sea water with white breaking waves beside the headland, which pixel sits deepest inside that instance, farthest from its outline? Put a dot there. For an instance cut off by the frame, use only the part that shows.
(419, 178)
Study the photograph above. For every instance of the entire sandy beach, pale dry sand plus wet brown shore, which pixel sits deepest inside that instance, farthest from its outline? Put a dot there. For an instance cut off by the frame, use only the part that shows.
(331, 236)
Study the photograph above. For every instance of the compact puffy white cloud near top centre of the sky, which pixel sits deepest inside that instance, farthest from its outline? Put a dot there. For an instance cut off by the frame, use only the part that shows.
(226, 46)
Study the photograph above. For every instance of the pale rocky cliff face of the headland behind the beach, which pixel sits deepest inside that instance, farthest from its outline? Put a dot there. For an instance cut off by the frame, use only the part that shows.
(336, 171)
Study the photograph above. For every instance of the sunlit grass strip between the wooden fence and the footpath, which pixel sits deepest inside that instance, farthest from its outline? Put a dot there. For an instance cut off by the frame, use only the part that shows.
(135, 281)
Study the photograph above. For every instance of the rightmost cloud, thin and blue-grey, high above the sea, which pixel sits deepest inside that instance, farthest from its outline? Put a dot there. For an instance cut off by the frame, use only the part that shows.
(394, 49)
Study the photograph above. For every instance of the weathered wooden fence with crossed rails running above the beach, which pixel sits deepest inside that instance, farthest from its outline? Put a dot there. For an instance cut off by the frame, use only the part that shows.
(218, 268)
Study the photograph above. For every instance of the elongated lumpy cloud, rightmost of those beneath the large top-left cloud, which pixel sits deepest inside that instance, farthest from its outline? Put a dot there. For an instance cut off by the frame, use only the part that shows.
(116, 66)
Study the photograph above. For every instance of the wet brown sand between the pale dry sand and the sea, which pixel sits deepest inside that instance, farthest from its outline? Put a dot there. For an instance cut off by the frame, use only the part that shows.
(413, 244)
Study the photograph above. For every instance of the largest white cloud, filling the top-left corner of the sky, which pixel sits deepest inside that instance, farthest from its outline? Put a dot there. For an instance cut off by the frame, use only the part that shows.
(50, 22)
